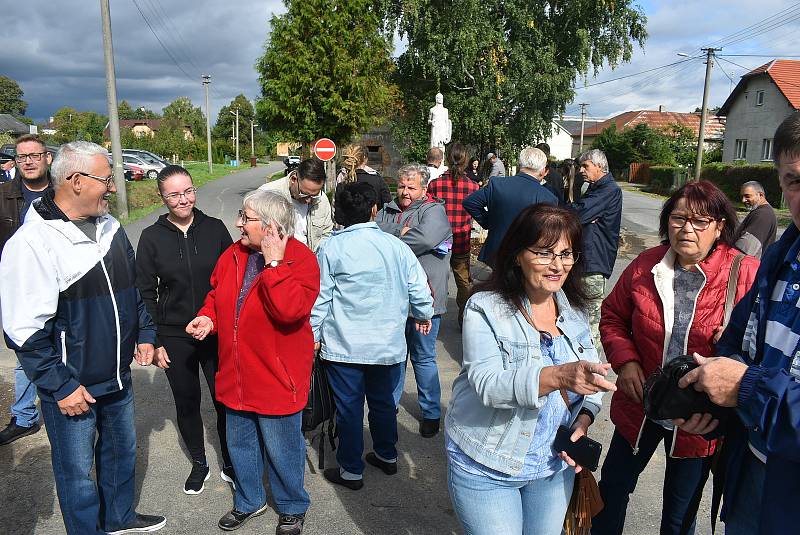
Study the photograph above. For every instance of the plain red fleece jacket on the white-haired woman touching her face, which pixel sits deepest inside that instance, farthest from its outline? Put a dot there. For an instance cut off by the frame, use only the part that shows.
(265, 357)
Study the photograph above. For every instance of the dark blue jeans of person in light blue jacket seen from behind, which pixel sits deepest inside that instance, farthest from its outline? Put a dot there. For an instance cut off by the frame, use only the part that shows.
(351, 383)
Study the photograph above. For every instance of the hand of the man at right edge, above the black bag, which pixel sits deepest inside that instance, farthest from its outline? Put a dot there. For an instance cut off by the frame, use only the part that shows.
(719, 377)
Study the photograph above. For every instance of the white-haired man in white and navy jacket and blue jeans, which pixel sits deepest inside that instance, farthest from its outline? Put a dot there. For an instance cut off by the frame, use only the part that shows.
(79, 320)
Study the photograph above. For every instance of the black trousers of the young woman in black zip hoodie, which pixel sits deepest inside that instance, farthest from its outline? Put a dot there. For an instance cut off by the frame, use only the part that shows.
(188, 356)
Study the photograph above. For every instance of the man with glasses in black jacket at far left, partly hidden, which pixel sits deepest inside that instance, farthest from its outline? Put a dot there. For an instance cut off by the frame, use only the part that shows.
(31, 180)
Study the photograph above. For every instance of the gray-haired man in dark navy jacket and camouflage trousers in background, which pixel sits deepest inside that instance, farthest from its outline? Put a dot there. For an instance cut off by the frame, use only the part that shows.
(600, 212)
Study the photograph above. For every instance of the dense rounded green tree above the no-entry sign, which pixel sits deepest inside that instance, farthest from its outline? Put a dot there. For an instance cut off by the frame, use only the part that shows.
(325, 70)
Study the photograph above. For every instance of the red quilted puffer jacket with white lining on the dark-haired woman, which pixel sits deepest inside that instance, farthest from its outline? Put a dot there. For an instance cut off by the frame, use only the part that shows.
(633, 319)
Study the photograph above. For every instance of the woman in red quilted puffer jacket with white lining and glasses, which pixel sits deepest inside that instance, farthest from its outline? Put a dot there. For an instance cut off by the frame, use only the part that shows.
(668, 302)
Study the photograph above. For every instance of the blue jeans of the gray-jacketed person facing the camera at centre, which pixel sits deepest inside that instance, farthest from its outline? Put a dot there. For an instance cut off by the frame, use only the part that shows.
(422, 349)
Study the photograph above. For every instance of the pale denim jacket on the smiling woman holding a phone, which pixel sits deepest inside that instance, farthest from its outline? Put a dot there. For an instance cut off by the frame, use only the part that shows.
(495, 404)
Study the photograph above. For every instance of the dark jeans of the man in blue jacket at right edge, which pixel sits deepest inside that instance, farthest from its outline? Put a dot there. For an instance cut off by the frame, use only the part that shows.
(742, 516)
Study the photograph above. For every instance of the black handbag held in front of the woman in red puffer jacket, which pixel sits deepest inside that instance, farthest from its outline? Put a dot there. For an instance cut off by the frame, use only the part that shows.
(665, 400)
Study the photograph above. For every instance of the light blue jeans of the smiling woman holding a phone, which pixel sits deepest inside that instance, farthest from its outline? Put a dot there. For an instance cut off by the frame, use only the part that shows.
(486, 506)
